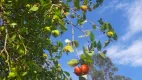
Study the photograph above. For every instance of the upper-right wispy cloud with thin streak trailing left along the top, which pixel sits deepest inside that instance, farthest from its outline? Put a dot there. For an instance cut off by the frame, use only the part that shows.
(133, 12)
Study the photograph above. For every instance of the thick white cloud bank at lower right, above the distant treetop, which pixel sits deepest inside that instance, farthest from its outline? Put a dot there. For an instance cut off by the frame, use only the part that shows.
(132, 55)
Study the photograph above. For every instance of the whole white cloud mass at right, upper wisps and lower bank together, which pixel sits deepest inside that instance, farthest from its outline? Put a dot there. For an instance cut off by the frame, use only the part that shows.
(128, 54)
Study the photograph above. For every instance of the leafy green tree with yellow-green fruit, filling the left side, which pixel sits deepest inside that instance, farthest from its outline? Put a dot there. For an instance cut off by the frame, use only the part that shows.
(28, 27)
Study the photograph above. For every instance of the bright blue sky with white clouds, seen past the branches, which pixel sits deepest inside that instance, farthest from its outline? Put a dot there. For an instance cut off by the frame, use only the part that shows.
(126, 53)
